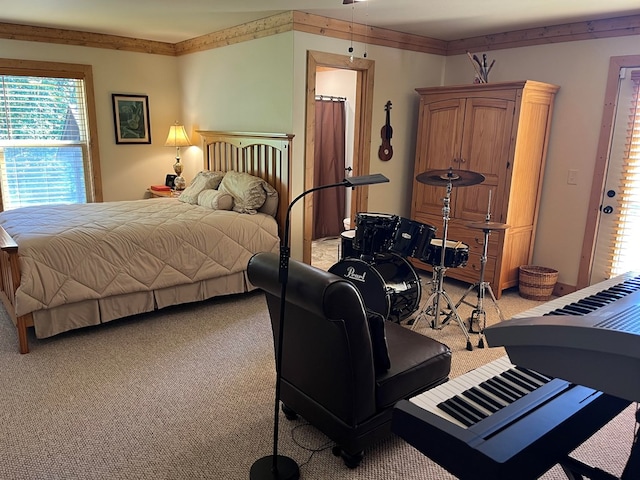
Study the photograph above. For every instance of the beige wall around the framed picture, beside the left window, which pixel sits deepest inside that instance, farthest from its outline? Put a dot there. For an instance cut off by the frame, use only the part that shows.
(127, 170)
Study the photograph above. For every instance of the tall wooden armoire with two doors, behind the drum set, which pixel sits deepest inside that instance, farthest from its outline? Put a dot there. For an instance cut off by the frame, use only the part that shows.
(501, 131)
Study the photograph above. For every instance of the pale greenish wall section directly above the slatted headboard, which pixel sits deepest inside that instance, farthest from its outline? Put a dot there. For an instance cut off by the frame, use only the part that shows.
(244, 87)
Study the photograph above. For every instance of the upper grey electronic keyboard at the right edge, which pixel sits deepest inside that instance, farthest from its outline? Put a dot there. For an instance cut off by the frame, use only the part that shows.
(592, 341)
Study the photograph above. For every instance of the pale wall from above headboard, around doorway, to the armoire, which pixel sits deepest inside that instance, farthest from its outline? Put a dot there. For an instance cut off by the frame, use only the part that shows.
(261, 86)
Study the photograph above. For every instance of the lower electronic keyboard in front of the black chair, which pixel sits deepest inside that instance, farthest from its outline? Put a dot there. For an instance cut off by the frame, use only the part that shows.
(522, 440)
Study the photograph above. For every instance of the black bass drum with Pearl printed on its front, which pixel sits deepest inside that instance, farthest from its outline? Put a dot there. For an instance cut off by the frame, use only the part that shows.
(389, 285)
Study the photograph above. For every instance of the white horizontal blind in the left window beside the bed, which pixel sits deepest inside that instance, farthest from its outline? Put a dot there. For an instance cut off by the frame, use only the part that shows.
(43, 140)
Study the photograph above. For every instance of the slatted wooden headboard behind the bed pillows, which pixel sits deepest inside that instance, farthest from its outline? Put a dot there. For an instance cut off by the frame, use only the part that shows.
(265, 155)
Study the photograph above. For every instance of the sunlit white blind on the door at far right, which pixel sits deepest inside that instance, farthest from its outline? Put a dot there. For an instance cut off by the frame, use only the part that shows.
(625, 255)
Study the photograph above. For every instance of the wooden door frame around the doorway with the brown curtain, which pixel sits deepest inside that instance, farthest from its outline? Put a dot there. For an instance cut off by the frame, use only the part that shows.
(363, 104)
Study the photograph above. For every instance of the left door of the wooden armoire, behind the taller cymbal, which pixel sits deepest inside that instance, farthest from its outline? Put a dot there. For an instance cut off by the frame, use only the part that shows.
(440, 139)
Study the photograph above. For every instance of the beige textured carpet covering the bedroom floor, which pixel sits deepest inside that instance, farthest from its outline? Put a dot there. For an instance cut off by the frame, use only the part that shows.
(187, 393)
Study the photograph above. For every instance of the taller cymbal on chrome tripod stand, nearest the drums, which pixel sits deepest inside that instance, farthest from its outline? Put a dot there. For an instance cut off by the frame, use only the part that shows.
(445, 178)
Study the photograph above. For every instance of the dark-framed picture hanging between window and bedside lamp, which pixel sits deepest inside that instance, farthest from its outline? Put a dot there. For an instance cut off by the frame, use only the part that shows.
(131, 118)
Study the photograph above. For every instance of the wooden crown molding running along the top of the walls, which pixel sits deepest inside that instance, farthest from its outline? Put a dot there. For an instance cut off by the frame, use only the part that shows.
(329, 27)
